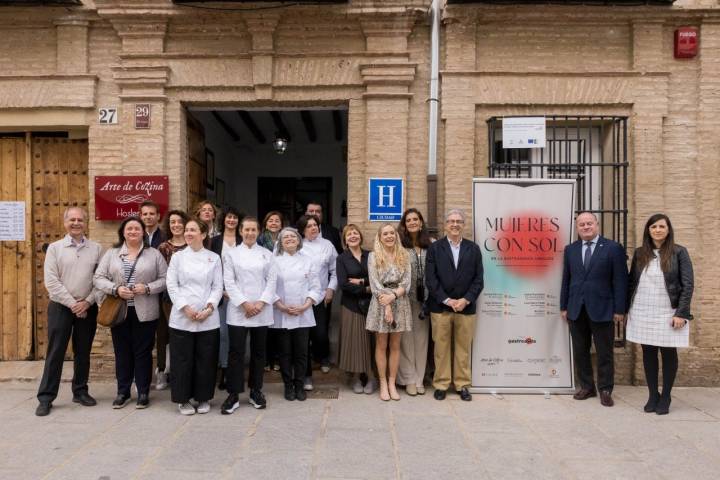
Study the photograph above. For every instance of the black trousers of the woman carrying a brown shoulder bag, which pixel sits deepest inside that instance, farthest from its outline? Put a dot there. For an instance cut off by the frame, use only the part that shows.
(133, 341)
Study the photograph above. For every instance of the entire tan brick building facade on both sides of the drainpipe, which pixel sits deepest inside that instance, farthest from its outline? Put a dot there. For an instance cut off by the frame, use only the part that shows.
(59, 65)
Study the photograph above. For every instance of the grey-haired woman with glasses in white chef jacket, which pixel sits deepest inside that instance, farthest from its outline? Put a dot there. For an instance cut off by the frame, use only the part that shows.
(298, 289)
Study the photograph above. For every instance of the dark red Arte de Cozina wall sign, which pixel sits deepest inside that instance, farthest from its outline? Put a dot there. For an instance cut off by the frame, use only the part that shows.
(119, 197)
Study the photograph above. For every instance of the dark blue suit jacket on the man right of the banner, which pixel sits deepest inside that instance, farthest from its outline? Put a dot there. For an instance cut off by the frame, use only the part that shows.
(602, 288)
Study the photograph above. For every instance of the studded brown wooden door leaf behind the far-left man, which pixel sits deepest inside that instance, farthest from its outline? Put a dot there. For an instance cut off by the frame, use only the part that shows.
(60, 180)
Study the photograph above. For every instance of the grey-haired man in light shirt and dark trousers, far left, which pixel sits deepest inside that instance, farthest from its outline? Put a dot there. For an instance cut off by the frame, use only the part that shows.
(72, 312)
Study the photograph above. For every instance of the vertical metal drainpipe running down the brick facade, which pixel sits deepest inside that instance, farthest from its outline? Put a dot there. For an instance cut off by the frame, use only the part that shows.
(433, 127)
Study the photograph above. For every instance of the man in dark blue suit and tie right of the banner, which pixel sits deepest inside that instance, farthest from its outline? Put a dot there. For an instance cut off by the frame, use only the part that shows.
(594, 287)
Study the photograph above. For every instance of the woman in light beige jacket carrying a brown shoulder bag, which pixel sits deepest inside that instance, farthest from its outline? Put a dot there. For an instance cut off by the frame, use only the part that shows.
(136, 273)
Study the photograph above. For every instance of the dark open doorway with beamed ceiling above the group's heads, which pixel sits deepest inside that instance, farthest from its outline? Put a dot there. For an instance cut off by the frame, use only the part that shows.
(244, 168)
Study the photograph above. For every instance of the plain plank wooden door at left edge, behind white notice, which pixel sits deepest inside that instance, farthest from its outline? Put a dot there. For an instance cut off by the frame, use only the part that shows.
(15, 258)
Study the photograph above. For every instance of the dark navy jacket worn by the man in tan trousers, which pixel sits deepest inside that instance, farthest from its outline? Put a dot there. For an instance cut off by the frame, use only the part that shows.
(443, 280)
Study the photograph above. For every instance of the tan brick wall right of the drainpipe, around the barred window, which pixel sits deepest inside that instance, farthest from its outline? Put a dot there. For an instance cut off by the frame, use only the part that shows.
(586, 61)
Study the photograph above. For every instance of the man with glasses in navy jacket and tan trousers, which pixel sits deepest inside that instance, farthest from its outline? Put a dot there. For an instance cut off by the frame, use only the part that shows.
(454, 278)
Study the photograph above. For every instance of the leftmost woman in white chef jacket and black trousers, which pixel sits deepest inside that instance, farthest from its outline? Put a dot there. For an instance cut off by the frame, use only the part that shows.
(195, 285)
